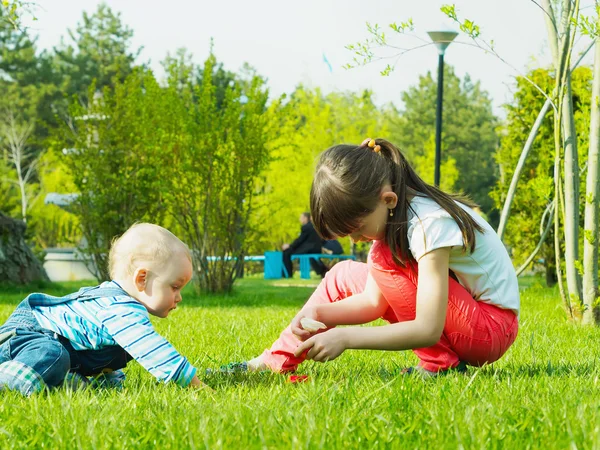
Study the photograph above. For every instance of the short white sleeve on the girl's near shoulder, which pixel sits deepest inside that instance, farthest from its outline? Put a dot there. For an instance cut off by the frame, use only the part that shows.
(431, 233)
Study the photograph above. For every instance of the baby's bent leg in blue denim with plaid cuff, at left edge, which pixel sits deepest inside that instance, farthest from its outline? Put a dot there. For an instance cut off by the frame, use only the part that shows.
(32, 360)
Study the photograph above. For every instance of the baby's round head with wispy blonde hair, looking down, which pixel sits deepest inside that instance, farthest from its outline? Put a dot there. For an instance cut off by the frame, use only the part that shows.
(152, 265)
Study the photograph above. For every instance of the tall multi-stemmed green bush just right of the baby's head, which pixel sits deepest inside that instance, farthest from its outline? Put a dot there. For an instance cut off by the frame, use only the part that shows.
(221, 155)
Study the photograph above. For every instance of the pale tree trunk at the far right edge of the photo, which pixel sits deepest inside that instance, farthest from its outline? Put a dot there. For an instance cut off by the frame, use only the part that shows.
(590, 241)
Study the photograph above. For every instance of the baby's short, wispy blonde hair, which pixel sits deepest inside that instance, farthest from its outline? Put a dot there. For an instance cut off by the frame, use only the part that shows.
(143, 242)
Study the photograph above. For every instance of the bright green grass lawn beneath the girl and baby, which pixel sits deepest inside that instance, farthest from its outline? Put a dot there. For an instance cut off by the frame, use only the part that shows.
(544, 393)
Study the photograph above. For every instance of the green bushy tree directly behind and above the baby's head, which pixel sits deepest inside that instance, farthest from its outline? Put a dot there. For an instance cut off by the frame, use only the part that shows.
(116, 154)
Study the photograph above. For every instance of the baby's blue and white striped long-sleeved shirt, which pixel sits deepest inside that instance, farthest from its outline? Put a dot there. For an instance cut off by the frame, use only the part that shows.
(94, 323)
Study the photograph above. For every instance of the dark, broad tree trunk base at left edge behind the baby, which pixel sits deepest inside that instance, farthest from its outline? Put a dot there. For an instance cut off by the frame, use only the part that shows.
(18, 264)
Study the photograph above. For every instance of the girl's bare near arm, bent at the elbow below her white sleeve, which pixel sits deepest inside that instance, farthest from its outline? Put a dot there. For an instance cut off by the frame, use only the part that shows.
(424, 331)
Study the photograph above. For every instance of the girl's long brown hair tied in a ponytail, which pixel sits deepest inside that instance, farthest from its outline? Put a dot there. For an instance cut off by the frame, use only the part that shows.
(347, 184)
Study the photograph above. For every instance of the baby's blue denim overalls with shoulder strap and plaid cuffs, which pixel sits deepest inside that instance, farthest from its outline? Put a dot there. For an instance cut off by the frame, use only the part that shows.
(32, 357)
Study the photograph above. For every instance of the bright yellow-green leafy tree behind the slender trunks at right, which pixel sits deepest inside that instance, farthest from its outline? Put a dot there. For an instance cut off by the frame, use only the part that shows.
(537, 176)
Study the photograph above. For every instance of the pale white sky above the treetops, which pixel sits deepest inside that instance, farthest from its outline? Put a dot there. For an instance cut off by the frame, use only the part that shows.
(287, 42)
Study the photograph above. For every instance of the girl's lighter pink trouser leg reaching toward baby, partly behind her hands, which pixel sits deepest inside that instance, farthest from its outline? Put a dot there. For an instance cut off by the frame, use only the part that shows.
(343, 280)
